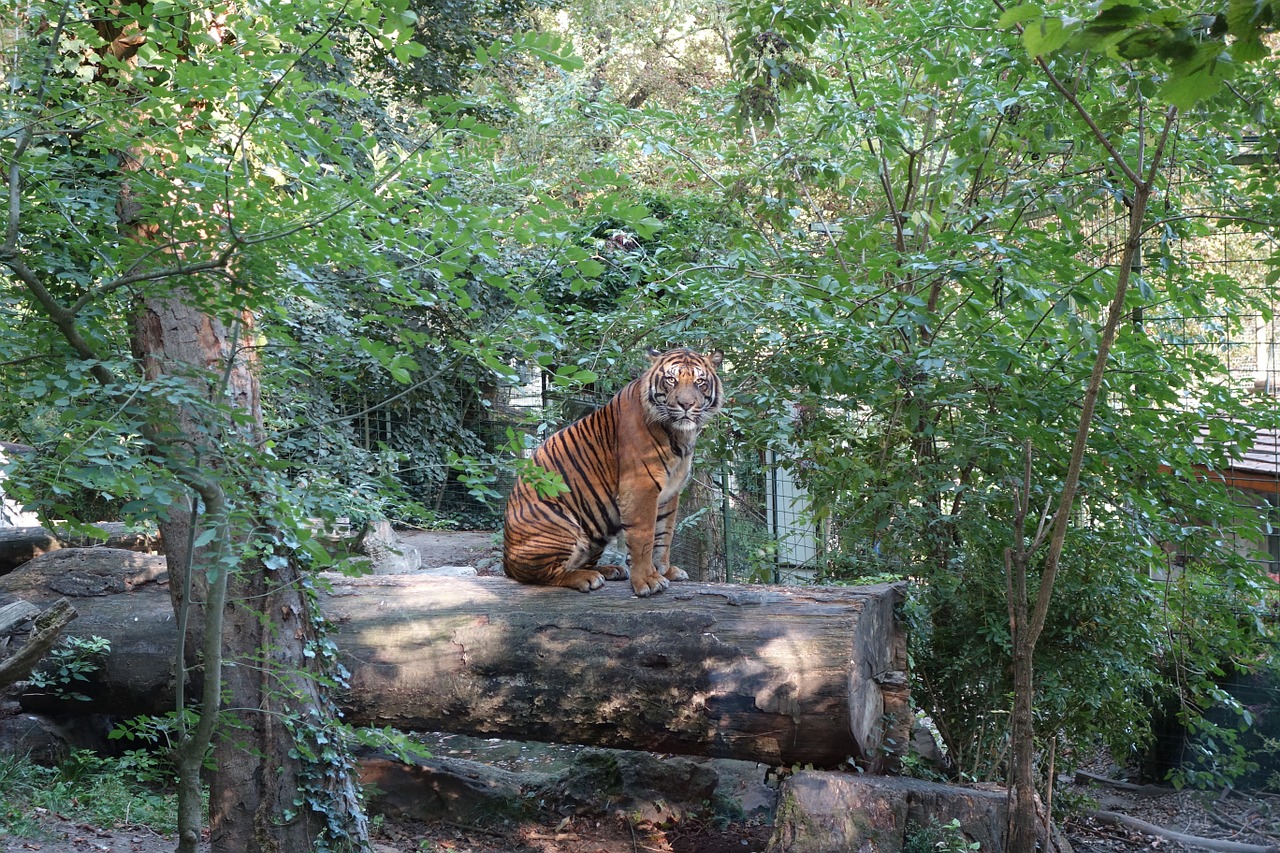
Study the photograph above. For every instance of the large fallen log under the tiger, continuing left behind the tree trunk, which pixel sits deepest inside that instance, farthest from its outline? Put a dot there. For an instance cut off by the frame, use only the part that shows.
(783, 676)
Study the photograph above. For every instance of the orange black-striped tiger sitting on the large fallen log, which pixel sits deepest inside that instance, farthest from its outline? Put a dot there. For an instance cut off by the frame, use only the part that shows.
(625, 467)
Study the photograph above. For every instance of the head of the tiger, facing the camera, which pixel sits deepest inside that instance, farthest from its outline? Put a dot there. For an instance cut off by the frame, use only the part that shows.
(683, 391)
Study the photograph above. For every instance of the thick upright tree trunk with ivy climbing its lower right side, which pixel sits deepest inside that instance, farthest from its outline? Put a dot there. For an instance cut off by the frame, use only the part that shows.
(262, 644)
